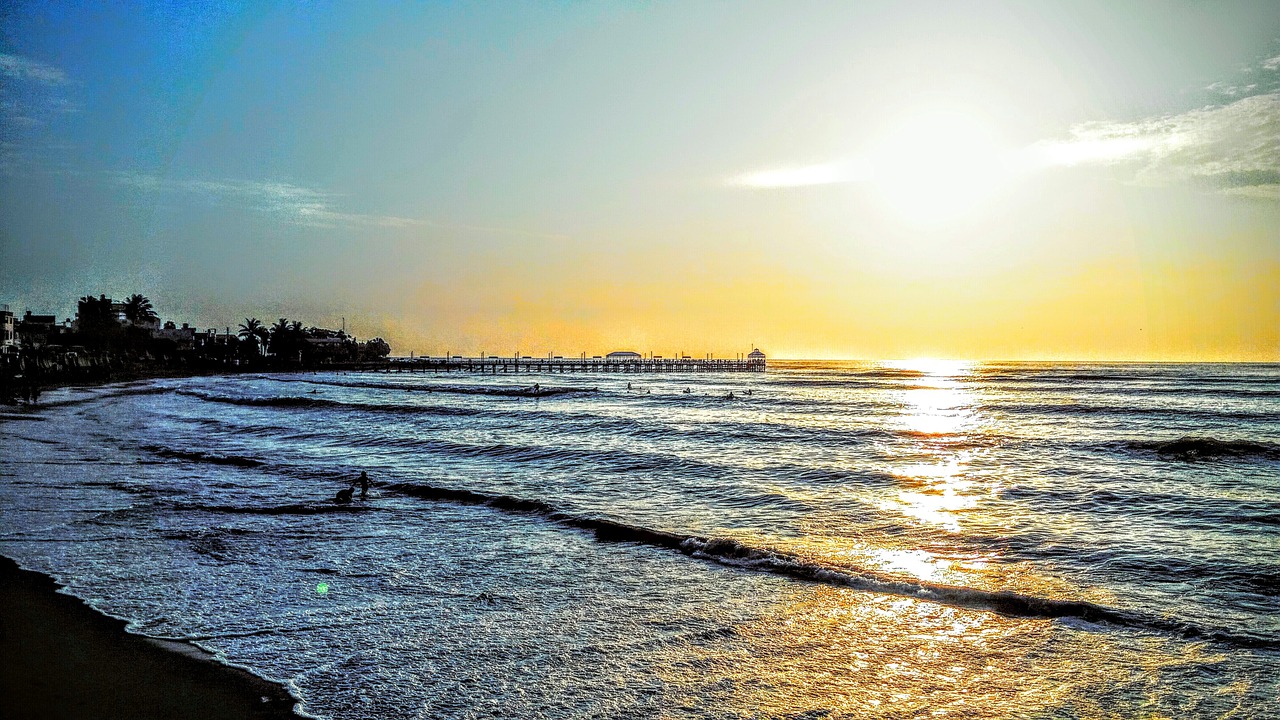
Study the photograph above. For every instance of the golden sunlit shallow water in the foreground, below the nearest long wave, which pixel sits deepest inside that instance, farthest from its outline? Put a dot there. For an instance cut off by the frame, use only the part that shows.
(836, 653)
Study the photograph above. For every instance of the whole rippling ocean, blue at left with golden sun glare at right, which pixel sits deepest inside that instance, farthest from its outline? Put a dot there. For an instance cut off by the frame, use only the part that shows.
(835, 540)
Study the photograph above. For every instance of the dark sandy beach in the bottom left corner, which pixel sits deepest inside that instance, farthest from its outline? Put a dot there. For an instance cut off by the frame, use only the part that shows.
(62, 659)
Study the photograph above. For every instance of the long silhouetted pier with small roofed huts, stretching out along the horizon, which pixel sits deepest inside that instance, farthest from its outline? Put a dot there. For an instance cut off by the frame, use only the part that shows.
(551, 366)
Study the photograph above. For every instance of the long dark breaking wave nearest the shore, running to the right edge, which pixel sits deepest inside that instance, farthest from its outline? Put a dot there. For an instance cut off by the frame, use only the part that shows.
(737, 554)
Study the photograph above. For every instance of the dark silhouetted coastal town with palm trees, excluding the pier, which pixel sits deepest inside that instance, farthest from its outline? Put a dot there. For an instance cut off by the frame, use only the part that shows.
(111, 340)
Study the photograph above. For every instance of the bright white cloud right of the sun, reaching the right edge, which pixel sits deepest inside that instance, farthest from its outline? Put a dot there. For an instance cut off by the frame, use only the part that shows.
(1233, 148)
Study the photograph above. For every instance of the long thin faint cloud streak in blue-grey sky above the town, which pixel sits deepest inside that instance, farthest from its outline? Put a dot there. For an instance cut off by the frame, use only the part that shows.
(292, 204)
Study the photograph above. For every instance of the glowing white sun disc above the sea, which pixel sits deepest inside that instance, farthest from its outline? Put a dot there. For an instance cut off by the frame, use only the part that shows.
(938, 166)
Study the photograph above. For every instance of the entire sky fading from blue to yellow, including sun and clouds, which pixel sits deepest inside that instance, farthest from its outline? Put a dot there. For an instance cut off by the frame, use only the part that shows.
(1017, 181)
